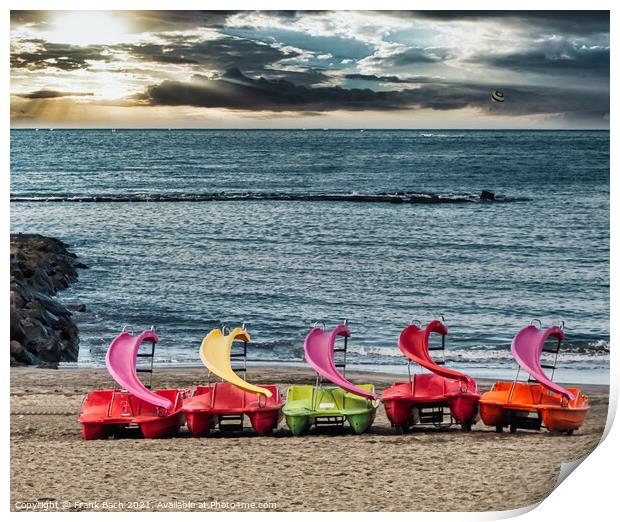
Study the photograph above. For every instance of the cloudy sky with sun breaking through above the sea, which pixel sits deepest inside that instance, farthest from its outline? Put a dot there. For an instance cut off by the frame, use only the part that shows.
(305, 69)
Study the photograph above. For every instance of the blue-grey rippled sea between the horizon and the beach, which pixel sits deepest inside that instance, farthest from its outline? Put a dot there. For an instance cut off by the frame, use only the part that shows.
(186, 266)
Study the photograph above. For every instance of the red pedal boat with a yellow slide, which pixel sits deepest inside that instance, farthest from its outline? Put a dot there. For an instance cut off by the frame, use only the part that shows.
(224, 405)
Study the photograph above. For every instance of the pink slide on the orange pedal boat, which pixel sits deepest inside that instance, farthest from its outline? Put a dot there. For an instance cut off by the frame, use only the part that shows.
(527, 348)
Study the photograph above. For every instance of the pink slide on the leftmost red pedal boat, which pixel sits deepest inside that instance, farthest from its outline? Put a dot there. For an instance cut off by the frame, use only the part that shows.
(121, 363)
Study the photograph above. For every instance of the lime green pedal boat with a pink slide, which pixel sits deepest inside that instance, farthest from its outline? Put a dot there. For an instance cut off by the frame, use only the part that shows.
(329, 405)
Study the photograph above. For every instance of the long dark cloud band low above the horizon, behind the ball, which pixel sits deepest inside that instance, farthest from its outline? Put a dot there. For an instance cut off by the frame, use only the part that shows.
(236, 91)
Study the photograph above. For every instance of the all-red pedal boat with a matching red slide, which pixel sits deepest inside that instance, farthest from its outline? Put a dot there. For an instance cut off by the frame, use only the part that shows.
(425, 397)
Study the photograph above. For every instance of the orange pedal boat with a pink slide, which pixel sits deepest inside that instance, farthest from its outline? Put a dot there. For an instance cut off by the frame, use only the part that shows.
(531, 405)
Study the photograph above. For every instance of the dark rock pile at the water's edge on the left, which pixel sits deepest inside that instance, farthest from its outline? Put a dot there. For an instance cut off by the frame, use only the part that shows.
(43, 331)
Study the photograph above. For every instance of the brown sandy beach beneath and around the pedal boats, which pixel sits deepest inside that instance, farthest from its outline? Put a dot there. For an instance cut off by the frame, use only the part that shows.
(424, 470)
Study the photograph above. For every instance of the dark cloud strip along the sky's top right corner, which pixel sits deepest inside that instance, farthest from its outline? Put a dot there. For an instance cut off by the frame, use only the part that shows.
(571, 22)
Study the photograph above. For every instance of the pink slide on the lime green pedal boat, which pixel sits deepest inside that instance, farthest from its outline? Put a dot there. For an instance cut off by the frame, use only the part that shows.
(319, 352)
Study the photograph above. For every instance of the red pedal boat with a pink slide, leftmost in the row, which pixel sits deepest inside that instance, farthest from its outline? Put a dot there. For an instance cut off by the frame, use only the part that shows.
(104, 412)
